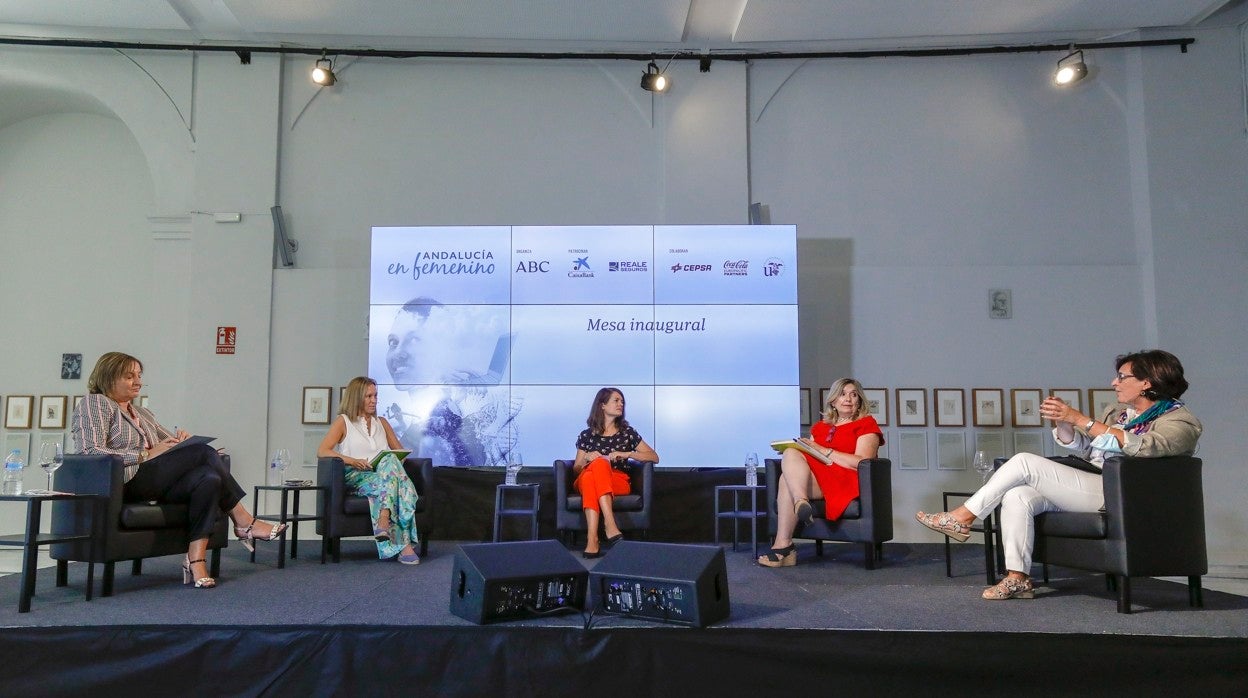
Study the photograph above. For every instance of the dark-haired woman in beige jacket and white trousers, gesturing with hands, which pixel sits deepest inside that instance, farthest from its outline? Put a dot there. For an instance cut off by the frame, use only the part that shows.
(1149, 423)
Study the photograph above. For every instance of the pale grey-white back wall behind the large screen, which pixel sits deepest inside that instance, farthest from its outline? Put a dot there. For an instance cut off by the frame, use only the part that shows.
(1113, 212)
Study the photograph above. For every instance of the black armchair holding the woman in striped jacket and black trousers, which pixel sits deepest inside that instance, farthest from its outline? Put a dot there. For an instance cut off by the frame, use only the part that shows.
(132, 530)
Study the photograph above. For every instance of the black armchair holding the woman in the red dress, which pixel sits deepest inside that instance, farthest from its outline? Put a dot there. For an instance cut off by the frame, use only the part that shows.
(868, 520)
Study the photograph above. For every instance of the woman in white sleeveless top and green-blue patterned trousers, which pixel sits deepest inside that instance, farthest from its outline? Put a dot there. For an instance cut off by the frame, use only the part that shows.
(358, 436)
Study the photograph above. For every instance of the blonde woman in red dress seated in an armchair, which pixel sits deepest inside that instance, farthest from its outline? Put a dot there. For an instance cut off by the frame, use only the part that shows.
(846, 435)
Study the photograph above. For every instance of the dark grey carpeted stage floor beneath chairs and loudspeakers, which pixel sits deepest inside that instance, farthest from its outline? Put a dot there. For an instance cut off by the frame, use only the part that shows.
(907, 592)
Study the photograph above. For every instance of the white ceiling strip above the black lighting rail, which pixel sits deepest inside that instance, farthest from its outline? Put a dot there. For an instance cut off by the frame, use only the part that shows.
(586, 26)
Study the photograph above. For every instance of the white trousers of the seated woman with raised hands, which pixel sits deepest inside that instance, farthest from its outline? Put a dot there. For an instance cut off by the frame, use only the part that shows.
(1026, 486)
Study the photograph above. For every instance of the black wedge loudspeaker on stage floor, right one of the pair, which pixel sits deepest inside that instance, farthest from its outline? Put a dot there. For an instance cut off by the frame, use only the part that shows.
(668, 582)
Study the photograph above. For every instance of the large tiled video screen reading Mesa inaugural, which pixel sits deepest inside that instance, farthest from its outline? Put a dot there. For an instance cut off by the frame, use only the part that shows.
(489, 344)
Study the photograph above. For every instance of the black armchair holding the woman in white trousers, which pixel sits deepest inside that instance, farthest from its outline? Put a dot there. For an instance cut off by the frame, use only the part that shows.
(1153, 526)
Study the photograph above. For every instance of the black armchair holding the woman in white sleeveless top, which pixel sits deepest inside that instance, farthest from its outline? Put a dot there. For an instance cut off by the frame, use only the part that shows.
(344, 514)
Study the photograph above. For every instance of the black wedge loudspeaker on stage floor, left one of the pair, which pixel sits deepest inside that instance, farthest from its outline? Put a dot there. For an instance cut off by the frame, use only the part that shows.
(494, 582)
